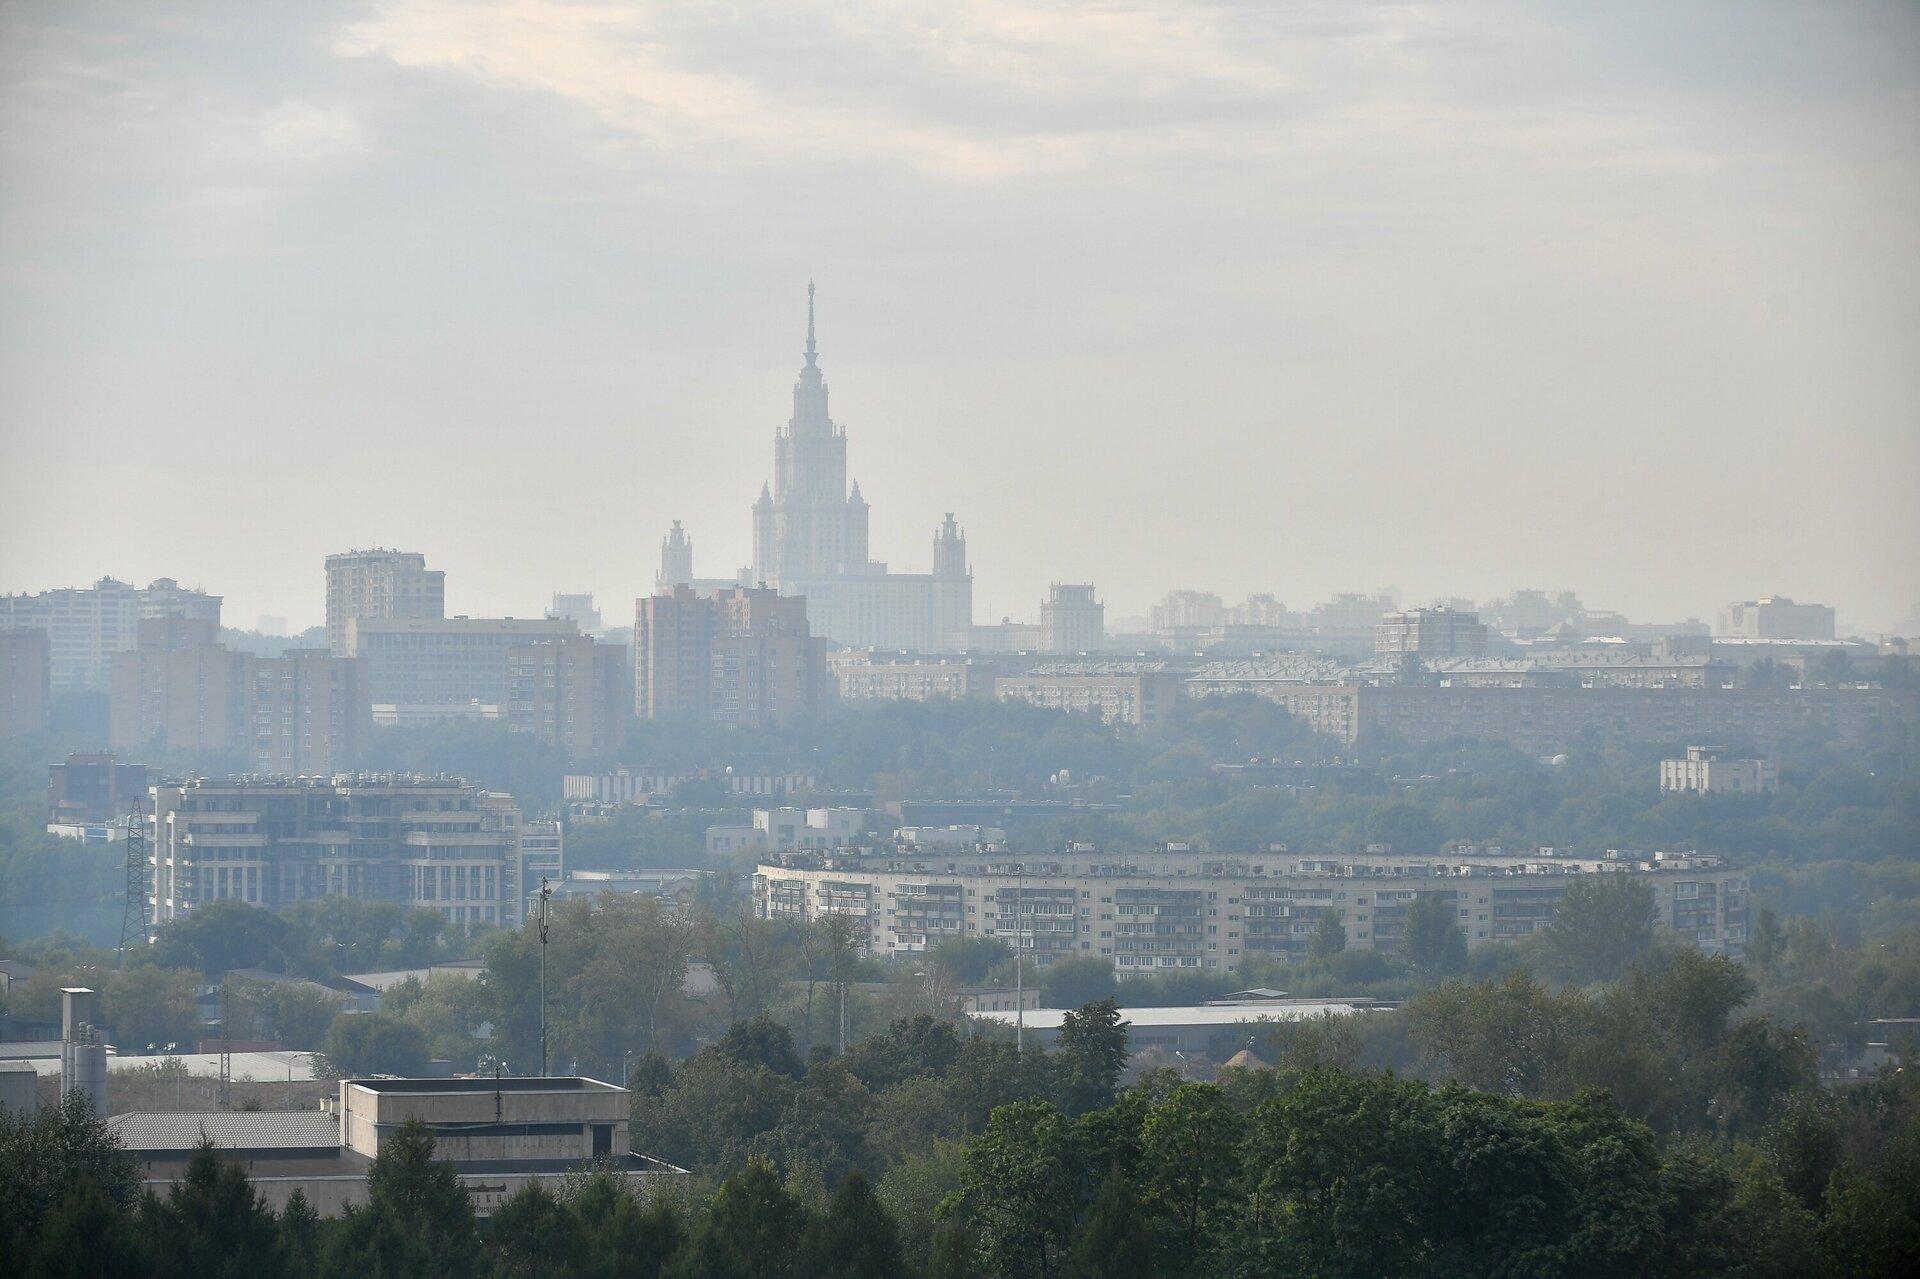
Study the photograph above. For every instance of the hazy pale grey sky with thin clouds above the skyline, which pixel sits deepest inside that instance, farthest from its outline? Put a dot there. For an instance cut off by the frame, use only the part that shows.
(1237, 297)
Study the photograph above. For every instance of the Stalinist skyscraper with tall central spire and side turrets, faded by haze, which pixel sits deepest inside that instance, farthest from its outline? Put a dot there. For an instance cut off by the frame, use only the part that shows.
(809, 539)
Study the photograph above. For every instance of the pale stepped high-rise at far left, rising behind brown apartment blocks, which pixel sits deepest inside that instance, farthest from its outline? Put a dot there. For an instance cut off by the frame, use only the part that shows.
(87, 627)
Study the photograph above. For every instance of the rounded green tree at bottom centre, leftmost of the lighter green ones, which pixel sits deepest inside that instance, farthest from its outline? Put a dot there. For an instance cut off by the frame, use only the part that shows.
(1020, 1180)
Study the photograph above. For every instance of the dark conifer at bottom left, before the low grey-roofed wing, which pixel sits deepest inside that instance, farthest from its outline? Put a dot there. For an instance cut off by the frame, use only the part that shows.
(212, 1224)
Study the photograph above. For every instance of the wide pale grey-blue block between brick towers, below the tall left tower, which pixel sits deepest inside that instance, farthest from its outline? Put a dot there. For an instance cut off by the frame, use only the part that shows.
(444, 665)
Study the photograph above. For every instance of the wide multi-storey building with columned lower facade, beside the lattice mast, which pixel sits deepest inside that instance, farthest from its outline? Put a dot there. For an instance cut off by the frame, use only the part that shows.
(414, 842)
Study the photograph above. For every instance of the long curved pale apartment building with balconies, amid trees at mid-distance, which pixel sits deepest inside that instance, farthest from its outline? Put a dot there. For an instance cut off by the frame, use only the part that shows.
(1201, 911)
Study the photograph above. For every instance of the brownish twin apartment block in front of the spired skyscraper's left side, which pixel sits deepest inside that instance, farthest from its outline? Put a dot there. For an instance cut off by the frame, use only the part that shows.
(734, 658)
